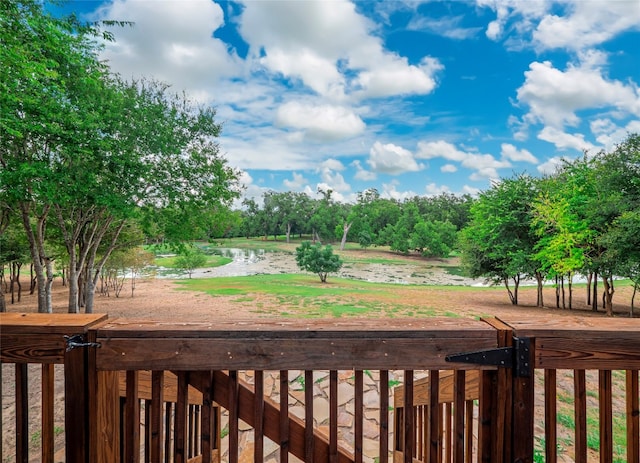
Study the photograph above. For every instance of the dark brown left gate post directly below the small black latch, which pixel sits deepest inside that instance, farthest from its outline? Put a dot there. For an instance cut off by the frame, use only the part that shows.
(76, 405)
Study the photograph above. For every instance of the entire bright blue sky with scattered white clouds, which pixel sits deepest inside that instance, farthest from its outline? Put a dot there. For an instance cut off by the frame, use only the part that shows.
(408, 97)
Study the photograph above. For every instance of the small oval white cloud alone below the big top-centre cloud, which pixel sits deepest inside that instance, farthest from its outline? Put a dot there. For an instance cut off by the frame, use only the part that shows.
(320, 122)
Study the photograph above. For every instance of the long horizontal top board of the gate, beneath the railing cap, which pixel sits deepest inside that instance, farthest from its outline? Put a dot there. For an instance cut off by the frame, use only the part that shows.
(278, 354)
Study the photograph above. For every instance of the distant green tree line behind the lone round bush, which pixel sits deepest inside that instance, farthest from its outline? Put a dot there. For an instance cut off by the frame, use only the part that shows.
(427, 225)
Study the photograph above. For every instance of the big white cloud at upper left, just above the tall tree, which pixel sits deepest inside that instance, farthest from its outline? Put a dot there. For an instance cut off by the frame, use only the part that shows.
(172, 41)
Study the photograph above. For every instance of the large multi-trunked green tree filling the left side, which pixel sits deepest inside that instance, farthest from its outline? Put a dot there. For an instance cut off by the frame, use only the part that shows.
(84, 151)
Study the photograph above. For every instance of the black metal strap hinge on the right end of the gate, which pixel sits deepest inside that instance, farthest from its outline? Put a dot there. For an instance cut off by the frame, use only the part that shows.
(516, 357)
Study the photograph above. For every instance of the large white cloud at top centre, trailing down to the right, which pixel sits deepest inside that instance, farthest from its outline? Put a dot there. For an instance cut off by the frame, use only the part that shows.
(331, 48)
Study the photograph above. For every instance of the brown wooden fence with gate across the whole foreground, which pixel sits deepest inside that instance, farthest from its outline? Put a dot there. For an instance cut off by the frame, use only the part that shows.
(478, 406)
